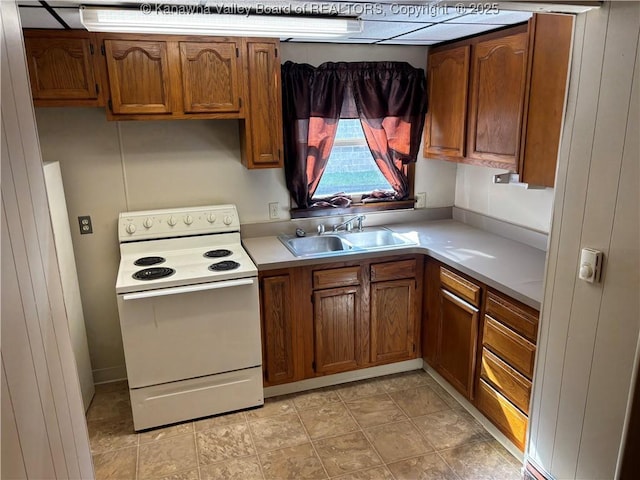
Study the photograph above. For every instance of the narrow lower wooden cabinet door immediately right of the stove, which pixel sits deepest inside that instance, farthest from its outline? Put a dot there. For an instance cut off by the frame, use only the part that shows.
(277, 328)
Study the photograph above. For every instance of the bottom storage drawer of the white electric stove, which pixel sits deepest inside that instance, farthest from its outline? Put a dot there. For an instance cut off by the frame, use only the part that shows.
(198, 397)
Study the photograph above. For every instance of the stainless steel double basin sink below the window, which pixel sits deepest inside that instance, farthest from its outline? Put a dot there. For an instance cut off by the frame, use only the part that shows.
(338, 243)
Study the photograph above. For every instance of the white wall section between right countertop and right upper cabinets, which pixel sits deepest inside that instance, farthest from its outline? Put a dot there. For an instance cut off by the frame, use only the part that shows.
(476, 191)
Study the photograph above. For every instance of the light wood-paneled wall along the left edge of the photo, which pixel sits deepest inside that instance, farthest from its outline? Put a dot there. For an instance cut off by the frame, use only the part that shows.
(44, 433)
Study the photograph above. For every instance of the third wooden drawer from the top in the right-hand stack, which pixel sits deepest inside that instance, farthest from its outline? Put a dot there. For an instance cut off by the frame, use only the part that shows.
(506, 380)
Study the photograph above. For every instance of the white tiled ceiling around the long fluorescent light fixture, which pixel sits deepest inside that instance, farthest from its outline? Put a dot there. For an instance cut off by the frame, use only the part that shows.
(385, 22)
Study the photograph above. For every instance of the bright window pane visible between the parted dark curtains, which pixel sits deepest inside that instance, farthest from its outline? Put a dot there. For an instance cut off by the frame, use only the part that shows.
(351, 168)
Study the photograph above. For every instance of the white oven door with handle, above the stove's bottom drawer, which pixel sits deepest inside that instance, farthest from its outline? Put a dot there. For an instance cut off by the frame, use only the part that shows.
(190, 331)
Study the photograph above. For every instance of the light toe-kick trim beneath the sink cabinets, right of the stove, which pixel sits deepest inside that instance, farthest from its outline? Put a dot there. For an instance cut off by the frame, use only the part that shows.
(338, 378)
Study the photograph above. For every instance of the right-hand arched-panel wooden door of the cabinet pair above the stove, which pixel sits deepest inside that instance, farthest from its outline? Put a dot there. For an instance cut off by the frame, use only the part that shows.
(210, 77)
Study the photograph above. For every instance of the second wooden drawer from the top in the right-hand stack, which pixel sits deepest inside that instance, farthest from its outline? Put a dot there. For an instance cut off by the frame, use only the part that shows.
(511, 347)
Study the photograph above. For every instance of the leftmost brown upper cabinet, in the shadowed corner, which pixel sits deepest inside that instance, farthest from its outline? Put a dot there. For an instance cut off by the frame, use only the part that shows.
(62, 68)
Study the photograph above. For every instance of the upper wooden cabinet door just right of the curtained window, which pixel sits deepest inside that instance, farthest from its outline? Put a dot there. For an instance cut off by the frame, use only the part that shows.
(447, 83)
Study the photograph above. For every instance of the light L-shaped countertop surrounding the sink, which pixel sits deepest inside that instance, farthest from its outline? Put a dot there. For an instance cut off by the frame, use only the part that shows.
(511, 267)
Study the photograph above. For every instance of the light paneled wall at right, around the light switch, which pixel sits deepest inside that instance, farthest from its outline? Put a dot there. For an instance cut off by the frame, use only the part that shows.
(589, 332)
